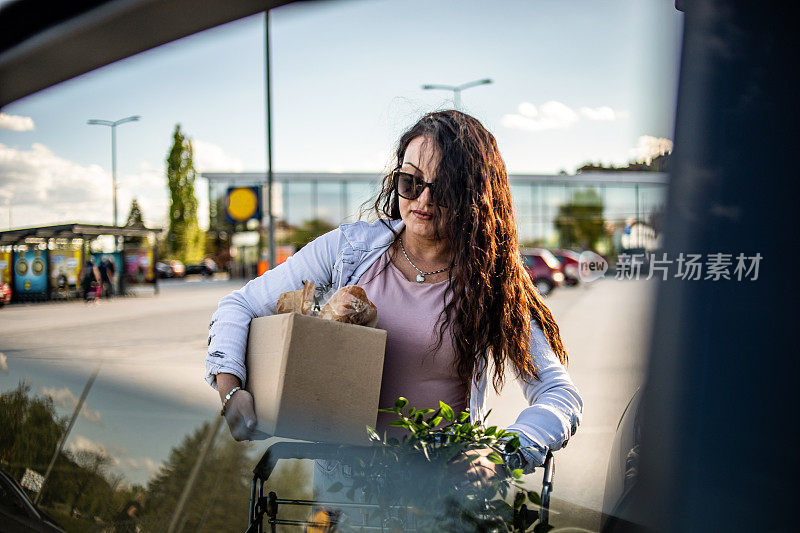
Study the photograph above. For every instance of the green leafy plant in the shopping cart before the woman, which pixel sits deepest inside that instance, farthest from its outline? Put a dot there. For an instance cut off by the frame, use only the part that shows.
(419, 474)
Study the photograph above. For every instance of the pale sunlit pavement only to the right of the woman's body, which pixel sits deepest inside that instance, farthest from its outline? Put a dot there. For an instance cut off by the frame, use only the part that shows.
(605, 328)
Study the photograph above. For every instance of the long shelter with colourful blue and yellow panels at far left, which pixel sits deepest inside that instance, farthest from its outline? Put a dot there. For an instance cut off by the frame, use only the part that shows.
(49, 262)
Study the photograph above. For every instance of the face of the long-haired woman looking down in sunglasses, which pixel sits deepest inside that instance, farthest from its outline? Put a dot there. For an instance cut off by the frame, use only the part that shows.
(421, 215)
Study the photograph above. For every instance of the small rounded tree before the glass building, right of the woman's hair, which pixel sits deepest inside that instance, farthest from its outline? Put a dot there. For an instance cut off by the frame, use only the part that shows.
(580, 223)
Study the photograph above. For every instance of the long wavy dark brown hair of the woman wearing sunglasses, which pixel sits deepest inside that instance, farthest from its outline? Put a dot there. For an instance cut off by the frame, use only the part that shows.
(491, 300)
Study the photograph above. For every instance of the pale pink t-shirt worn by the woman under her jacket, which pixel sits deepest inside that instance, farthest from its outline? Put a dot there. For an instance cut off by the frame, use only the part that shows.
(409, 311)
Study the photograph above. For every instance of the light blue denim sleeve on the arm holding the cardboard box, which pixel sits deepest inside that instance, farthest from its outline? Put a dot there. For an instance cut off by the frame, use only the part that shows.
(230, 324)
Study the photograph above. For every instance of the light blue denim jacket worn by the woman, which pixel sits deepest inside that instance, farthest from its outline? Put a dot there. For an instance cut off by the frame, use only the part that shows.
(339, 258)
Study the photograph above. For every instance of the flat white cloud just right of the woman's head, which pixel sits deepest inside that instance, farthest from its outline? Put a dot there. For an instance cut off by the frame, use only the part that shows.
(553, 115)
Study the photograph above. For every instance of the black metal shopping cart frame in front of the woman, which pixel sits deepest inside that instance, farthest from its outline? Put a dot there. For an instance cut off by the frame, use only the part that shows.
(269, 505)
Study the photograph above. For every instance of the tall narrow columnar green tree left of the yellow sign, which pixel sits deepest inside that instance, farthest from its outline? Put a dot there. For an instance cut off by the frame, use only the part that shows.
(185, 240)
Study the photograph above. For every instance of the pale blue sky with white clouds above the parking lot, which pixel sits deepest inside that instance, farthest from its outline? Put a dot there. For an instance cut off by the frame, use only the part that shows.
(573, 82)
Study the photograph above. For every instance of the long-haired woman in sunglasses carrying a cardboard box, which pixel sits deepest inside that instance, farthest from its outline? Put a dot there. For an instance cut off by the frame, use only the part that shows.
(442, 265)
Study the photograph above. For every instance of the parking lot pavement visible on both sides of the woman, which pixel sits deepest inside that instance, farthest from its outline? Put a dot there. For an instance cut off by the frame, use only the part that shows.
(152, 348)
